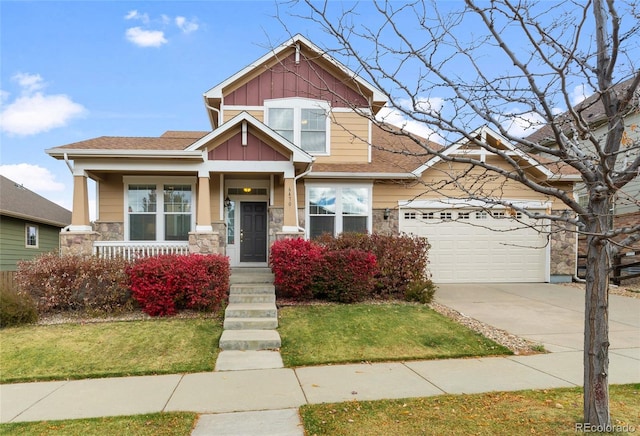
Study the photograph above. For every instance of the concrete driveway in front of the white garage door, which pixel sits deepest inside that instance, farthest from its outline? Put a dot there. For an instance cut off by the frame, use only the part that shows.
(552, 315)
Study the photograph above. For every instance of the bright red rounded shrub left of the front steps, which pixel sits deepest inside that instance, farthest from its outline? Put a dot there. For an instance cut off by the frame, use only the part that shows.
(162, 285)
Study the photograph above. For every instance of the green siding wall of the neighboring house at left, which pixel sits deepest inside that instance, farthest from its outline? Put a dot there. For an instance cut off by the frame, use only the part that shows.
(13, 246)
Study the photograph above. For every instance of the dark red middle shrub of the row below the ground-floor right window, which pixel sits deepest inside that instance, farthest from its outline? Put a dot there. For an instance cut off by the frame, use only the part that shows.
(345, 276)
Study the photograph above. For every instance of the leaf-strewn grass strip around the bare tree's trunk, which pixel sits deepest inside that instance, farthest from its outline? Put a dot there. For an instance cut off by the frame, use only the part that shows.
(545, 412)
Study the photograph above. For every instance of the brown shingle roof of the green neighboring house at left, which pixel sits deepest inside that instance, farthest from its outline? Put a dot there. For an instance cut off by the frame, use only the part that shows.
(17, 201)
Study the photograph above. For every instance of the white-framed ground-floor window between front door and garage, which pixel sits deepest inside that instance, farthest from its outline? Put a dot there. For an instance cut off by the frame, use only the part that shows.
(336, 209)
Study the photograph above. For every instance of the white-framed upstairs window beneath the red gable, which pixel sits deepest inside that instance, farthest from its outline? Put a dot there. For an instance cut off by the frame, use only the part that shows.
(303, 121)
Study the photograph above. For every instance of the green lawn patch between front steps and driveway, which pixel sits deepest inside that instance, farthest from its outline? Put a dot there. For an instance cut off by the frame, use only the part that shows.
(319, 334)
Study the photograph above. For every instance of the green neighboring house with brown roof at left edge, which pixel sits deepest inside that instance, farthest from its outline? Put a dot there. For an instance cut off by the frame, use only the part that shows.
(29, 224)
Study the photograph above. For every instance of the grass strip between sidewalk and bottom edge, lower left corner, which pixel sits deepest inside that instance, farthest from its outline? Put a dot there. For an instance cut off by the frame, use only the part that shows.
(156, 424)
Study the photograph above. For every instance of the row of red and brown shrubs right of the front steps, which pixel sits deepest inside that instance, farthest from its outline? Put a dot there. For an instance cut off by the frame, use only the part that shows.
(353, 267)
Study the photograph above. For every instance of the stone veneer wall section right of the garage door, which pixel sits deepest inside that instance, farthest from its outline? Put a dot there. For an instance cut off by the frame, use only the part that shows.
(563, 251)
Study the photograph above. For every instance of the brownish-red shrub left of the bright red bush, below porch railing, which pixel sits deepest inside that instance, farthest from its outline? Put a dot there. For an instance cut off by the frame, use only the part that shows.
(75, 283)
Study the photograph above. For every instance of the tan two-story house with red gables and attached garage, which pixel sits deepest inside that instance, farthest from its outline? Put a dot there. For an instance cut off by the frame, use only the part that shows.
(287, 155)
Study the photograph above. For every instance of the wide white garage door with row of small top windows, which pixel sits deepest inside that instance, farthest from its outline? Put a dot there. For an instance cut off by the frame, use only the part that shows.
(479, 246)
